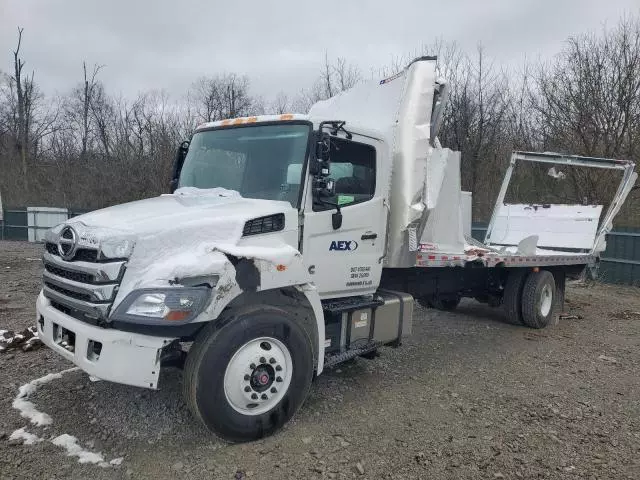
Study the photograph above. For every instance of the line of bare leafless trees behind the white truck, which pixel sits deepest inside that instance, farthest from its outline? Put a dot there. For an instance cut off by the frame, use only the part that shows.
(88, 148)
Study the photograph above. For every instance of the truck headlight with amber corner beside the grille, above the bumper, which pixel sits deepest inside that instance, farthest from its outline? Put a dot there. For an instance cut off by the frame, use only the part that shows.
(161, 306)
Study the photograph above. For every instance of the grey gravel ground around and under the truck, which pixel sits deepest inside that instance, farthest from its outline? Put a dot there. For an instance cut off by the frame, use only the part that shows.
(467, 396)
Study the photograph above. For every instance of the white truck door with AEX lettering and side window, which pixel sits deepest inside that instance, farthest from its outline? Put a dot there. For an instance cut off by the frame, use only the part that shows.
(347, 260)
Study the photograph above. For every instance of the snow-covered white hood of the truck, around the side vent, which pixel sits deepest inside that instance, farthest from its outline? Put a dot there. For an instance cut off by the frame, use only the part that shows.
(184, 234)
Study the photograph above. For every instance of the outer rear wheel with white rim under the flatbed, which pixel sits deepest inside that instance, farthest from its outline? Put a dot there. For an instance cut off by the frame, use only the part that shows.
(539, 299)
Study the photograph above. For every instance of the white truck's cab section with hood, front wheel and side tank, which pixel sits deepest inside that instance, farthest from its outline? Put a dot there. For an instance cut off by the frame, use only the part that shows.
(270, 219)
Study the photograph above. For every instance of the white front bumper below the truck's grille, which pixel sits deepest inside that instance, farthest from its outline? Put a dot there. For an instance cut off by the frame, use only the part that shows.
(128, 358)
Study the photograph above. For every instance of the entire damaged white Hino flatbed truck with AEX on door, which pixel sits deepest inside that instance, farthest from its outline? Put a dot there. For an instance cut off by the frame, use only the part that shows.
(291, 243)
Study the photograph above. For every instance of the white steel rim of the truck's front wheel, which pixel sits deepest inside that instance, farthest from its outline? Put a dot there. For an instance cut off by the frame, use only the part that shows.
(258, 376)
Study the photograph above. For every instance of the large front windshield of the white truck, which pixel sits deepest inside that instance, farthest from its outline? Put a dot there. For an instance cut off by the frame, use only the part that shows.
(262, 161)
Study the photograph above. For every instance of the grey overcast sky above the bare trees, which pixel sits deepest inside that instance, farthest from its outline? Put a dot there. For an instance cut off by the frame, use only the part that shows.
(280, 45)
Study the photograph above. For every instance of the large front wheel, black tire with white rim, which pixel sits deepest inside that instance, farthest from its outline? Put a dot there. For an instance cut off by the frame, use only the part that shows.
(246, 379)
